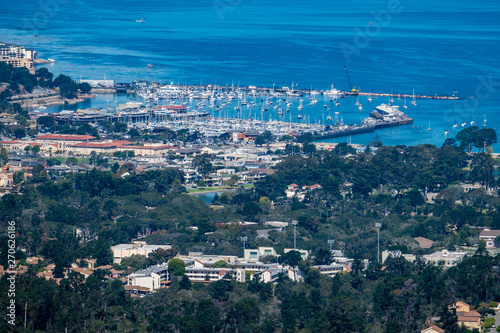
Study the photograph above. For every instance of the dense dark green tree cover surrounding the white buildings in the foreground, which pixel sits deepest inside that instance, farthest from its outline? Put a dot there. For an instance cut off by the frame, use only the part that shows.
(383, 184)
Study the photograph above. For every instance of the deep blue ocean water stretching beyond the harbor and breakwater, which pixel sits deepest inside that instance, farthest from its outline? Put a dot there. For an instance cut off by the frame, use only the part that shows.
(444, 48)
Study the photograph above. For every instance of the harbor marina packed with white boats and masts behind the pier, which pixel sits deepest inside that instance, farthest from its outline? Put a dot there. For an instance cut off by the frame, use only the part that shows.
(215, 110)
